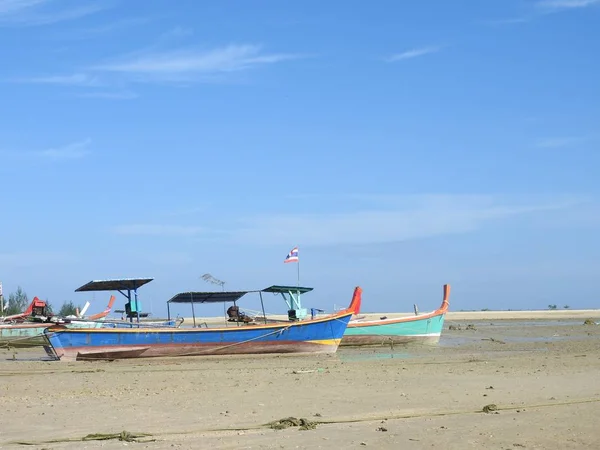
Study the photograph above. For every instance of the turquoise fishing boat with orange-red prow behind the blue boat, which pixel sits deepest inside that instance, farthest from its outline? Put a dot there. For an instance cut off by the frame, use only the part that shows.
(420, 328)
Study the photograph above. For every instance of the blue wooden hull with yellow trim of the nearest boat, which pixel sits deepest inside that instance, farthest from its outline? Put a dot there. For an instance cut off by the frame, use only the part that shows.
(314, 336)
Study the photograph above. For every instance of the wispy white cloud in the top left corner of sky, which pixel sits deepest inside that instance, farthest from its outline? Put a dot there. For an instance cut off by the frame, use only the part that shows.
(43, 12)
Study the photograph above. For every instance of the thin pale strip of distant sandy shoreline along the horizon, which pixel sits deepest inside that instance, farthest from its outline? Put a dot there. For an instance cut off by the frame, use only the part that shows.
(551, 314)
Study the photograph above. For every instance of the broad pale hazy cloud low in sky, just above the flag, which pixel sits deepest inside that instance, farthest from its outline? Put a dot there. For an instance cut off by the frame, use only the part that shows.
(405, 218)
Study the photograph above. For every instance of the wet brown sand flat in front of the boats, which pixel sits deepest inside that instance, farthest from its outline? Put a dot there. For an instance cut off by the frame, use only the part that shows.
(542, 376)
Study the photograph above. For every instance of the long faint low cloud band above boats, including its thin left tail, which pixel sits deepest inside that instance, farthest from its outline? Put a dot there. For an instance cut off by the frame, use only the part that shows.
(373, 220)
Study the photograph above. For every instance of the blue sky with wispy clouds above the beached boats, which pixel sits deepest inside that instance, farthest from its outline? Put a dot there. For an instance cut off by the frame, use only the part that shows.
(401, 145)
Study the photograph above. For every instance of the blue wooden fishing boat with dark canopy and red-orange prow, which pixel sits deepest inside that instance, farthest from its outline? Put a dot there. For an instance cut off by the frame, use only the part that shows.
(297, 335)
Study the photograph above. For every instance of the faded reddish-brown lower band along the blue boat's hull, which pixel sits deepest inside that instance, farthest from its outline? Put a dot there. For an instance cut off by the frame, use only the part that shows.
(168, 350)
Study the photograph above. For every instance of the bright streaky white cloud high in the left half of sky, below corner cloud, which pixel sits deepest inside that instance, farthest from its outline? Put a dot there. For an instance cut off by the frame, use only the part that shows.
(192, 64)
